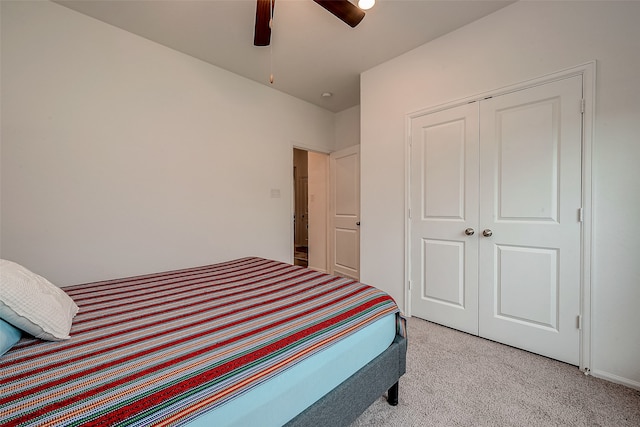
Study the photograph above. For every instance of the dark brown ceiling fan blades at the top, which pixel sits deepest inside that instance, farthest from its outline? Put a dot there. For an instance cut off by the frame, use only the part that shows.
(343, 9)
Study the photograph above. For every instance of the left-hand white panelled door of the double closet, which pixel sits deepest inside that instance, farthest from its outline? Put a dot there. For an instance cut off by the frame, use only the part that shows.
(444, 204)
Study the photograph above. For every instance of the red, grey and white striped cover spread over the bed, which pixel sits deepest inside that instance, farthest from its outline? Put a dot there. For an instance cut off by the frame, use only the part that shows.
(162, 349)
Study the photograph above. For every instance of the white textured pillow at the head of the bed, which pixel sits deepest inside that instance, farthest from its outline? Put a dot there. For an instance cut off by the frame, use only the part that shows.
(31, 303)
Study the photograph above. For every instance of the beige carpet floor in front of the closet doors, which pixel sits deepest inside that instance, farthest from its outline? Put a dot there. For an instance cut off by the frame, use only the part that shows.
(456, 379)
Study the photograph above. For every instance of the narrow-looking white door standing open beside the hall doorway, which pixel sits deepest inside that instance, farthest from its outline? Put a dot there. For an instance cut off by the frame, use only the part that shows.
(344, 208)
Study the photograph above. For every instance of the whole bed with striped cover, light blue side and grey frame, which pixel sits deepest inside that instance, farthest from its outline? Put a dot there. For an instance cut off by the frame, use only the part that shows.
(245, 342)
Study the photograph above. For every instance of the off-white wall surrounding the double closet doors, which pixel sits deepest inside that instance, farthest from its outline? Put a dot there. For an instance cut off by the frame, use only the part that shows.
(523, 41)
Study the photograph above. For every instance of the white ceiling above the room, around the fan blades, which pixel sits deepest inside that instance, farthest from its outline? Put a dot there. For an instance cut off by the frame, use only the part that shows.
(311, 50)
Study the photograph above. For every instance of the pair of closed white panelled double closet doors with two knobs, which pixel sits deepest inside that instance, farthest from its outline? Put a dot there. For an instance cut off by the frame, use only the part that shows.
(509, 169)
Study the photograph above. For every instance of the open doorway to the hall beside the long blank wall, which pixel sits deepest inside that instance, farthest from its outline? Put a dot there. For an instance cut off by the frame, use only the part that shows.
(310, 186)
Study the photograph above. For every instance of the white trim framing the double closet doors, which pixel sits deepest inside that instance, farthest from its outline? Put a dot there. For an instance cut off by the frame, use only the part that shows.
(588, 73)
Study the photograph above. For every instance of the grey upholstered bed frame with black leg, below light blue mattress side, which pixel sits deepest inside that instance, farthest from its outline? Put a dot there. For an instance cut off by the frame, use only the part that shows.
(342, 405)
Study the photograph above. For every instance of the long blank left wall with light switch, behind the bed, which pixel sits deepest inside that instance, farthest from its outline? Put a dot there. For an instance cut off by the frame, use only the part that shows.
(120, 156)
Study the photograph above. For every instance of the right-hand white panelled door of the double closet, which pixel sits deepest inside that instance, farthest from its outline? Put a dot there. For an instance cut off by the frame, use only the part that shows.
(530, 195)
